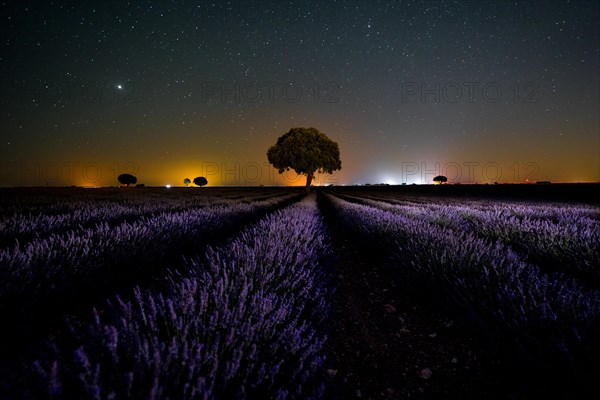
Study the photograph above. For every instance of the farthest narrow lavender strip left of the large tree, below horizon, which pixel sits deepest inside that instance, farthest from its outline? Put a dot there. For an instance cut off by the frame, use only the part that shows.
(25, 218)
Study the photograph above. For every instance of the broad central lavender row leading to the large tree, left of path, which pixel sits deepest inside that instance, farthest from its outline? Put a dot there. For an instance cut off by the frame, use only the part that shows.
(241, 322)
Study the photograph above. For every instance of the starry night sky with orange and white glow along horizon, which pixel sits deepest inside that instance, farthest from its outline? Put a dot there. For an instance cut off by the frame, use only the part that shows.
(504, 91)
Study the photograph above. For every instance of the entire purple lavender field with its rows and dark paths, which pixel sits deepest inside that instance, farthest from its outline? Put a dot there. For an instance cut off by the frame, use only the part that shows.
(267, 293)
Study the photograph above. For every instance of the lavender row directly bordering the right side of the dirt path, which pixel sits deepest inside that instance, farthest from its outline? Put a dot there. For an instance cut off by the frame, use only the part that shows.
(549, 324)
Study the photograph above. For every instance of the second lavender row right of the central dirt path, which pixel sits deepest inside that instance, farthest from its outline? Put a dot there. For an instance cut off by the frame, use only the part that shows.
(558, 238)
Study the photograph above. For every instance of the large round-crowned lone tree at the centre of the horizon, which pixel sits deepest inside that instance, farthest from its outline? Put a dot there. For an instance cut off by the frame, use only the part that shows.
(306, 151)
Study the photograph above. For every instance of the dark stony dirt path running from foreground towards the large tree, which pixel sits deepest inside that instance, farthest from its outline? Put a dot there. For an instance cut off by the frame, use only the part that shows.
(385, 345)
